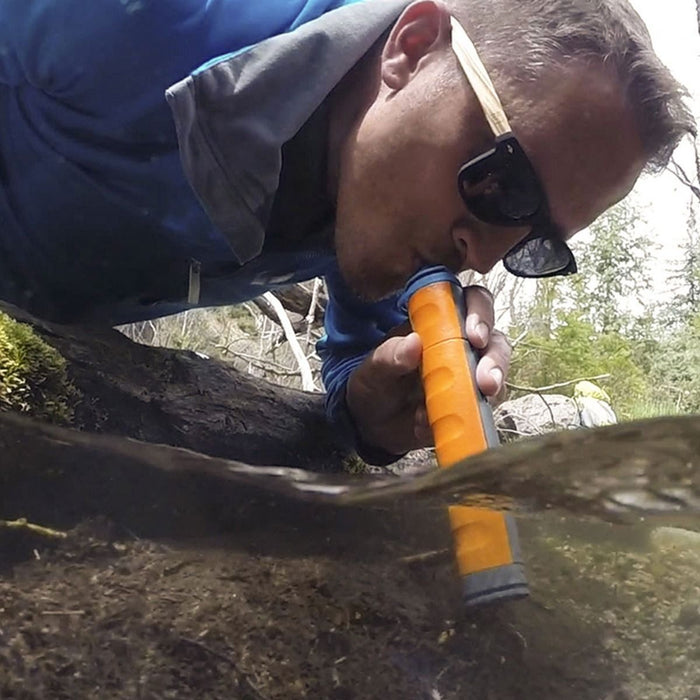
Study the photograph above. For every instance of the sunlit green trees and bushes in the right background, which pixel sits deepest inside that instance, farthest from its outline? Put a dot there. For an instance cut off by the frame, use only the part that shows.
(601, 322)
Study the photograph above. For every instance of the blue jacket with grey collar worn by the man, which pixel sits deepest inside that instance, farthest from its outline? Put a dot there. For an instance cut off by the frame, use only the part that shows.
(107, 192)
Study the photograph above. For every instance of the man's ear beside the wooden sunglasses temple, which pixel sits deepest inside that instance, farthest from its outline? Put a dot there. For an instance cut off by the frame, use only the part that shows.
(422, 28)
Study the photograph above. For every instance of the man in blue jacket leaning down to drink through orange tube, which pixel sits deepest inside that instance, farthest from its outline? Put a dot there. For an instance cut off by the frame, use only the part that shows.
(311, 137)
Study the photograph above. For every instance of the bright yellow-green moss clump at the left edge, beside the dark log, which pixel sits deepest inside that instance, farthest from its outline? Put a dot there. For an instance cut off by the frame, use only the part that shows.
(33, 377)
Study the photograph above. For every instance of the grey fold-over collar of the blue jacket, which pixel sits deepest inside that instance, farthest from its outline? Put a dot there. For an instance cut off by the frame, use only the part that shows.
(233, 116)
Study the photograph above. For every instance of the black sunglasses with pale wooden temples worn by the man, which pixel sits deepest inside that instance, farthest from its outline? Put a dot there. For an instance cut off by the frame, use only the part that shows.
(501, 187)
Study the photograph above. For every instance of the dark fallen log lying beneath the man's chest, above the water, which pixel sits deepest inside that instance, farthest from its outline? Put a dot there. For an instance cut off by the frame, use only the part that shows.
(179, 398)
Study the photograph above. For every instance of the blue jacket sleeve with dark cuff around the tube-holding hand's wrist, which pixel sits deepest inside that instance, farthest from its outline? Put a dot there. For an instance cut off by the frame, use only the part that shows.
(353, 329)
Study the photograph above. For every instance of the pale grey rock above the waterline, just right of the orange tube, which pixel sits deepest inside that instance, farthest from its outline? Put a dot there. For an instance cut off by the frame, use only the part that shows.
(535, 414)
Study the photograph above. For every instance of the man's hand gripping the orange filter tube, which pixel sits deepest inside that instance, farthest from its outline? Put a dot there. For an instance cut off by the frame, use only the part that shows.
(385, 395)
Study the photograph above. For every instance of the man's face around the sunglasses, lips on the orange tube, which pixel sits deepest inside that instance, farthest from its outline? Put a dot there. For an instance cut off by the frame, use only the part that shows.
(398, 205)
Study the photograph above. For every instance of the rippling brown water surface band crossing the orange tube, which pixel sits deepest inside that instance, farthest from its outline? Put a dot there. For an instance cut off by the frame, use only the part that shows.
(636, 469)
